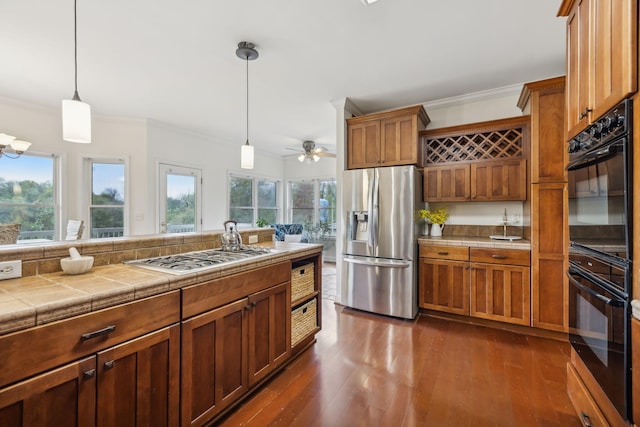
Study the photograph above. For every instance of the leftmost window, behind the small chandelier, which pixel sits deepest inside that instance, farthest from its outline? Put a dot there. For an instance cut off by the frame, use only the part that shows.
(27, 195)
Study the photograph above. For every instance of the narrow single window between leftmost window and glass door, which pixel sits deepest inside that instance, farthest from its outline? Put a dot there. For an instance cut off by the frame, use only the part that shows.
(106, 209)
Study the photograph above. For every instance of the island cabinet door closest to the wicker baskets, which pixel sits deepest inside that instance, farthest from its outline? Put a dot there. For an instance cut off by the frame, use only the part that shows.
(269, 330)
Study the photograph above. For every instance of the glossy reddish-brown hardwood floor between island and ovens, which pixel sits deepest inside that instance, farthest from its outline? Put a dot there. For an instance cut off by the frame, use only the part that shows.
(369, 370)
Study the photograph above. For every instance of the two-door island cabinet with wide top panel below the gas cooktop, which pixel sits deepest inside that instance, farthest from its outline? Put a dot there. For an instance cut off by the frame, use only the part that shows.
(235, 333)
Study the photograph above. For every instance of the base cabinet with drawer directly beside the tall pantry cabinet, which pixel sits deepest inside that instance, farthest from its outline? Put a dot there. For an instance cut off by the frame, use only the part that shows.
(500, 285)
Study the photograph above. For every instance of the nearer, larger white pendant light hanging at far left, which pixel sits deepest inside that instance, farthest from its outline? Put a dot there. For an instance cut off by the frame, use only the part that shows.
(76, 115)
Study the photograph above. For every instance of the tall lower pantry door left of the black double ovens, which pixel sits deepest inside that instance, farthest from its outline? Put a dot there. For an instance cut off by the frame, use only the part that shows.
(549, 237)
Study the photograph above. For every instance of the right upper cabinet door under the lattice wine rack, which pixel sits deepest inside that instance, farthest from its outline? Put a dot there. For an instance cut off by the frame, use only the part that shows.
(499, 180)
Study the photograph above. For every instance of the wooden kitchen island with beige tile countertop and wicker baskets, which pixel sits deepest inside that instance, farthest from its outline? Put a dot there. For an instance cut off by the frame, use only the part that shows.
(126, 344)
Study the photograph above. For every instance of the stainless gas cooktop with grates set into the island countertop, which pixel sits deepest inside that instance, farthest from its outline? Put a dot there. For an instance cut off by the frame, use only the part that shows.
(192, 262)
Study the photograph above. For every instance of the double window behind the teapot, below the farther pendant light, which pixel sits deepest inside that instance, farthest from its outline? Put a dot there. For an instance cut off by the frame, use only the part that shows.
(253, 198)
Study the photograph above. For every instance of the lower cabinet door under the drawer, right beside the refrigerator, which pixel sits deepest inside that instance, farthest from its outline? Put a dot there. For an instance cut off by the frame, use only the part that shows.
(444, 286)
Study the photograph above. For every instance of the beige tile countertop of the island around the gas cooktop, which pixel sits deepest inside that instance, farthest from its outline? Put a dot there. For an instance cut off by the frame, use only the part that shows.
(40, 299)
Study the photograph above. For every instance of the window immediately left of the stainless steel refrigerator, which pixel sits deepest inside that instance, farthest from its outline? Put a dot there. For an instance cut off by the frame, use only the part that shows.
(313, 204)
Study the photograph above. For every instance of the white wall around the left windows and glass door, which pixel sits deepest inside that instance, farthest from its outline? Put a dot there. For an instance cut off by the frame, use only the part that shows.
(142, 144)
